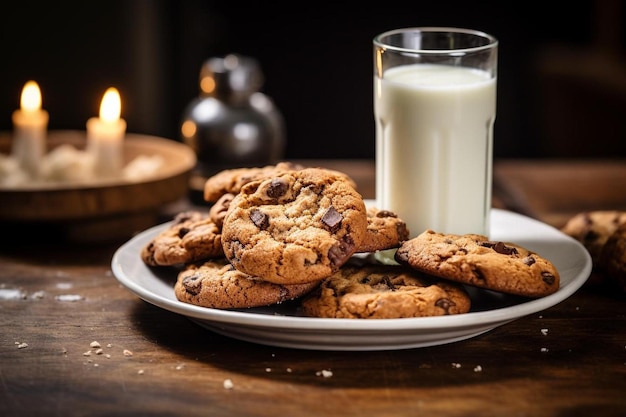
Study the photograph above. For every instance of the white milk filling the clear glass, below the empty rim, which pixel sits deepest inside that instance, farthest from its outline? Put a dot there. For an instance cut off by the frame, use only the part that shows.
(434, 140)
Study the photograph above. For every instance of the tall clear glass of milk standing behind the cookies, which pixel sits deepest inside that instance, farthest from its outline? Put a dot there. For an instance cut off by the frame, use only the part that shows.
(435, 107)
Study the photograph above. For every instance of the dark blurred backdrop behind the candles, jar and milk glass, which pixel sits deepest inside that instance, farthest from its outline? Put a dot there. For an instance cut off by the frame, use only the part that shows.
(561, 85)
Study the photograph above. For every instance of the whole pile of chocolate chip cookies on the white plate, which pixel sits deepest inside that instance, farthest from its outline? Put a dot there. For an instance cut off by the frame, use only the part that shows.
(286, 232)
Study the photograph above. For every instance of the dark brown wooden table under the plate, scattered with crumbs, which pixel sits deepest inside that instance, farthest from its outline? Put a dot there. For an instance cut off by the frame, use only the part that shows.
(154, 362)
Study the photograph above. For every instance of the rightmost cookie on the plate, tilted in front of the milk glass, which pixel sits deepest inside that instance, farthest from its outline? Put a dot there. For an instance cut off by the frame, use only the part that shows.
(475, 260)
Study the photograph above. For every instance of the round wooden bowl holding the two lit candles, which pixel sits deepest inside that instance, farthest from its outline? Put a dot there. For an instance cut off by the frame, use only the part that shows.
(97, 199)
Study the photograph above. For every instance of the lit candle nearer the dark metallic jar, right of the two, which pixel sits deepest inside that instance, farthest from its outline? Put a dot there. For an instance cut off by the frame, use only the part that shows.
(105, 136)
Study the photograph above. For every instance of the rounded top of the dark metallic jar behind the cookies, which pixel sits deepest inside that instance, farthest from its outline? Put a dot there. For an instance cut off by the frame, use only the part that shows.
(231, 77)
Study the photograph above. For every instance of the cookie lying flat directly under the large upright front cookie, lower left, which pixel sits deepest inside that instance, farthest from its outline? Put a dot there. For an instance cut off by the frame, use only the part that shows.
(217, 284)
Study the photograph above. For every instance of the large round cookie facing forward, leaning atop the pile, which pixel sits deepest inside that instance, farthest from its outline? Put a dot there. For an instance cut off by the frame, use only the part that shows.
(296, 227)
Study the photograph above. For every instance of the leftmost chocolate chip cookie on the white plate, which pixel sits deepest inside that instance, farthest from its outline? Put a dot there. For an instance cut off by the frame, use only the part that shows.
(192, 236)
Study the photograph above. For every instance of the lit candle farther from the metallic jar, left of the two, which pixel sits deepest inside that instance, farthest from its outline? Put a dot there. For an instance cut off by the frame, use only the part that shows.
(30, 124)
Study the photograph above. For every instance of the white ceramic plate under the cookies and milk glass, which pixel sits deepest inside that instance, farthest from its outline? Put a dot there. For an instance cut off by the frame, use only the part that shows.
(282, 325)
